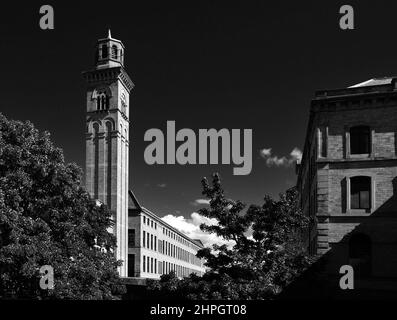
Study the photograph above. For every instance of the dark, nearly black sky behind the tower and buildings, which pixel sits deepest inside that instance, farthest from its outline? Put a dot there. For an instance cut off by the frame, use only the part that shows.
(204, 64)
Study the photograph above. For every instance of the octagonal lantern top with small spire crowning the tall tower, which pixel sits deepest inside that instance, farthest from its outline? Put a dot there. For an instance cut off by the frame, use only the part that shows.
(109, 52)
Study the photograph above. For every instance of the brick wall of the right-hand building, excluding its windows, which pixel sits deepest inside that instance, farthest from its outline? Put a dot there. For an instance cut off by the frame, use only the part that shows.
(330, 122)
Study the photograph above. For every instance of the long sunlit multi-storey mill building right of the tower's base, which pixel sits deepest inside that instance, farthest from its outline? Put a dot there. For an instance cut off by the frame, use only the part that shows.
(156, 248)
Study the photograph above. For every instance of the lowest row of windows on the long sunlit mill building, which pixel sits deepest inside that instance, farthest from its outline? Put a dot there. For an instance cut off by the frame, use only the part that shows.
(152, 265)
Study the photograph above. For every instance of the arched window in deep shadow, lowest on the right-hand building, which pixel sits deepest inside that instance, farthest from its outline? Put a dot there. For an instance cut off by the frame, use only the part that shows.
(360, 254)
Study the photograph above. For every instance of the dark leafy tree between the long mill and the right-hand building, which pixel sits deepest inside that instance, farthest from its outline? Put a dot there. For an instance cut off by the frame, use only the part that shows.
(268, 252)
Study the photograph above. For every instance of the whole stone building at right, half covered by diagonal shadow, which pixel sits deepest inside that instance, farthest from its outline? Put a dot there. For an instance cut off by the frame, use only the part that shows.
(348, 178)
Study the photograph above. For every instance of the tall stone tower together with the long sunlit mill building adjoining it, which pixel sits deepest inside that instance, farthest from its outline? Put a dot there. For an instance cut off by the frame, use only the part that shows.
(147, 245)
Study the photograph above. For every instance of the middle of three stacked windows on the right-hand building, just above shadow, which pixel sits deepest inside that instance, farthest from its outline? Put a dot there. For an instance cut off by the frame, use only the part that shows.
(360, 192)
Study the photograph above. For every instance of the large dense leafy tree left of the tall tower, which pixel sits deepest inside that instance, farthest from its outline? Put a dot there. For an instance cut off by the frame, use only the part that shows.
(47, 218)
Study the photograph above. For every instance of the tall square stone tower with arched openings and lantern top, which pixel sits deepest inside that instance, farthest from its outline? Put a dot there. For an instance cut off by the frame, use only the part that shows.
(107, 136)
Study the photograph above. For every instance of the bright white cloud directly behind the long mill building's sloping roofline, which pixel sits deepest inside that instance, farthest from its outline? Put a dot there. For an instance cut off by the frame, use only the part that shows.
(191, 228)
